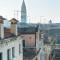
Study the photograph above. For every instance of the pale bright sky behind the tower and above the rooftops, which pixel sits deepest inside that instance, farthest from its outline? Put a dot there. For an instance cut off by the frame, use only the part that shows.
(37, 10)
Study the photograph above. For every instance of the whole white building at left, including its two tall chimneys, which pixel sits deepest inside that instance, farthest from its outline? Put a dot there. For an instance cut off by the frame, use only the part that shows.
(11, 46)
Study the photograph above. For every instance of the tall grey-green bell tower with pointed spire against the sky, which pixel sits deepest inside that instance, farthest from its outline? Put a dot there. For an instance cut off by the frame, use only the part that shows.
(23, 13)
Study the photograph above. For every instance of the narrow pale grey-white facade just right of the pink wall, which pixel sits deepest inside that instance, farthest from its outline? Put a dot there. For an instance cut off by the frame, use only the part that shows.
(40, 46)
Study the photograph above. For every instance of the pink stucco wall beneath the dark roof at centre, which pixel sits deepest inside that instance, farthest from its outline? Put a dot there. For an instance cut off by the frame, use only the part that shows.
(29, 40)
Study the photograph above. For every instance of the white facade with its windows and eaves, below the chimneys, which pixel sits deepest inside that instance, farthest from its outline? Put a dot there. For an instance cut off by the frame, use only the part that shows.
(11, 49)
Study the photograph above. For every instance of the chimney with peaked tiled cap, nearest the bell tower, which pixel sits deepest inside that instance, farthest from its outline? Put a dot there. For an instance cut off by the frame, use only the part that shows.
(14, 26)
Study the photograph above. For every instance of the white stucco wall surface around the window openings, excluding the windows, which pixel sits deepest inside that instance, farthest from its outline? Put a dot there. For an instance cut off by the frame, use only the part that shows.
(4, 47)
